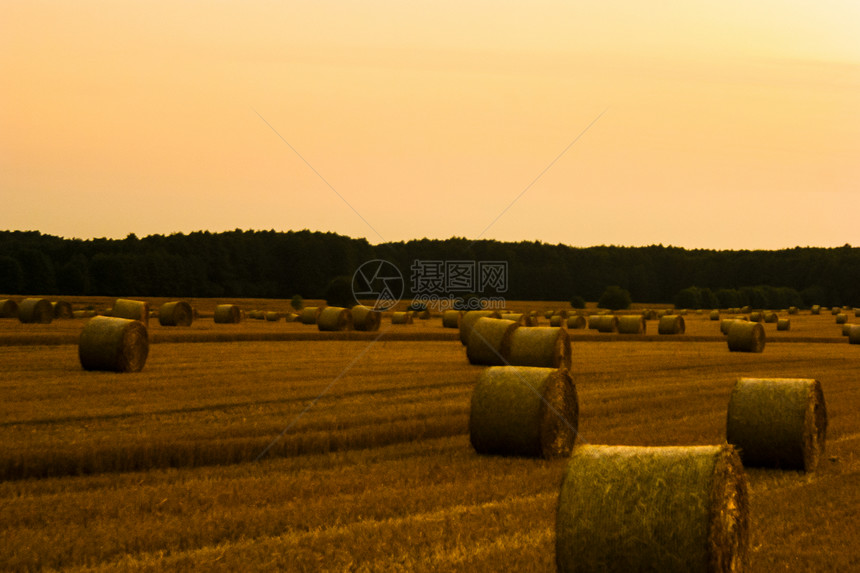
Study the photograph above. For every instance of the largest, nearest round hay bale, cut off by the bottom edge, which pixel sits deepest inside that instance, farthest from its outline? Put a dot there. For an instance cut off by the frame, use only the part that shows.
(666, 509)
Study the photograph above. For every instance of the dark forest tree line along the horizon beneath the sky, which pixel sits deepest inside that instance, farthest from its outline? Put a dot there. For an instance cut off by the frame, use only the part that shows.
(270, 264)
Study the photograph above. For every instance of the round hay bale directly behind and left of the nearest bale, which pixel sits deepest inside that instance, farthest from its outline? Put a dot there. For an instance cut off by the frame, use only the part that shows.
(524, 411)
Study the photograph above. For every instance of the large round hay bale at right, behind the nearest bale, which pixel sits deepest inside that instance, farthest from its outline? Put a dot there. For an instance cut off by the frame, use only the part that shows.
(778, 422)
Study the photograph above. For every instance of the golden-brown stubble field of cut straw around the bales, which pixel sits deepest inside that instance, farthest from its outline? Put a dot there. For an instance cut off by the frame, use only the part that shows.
(373, 470)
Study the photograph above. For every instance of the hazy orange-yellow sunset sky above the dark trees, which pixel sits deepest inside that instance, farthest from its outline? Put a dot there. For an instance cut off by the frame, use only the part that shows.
(724, 125)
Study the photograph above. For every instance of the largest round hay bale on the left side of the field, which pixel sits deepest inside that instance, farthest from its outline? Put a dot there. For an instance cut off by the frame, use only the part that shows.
(113, 344)
